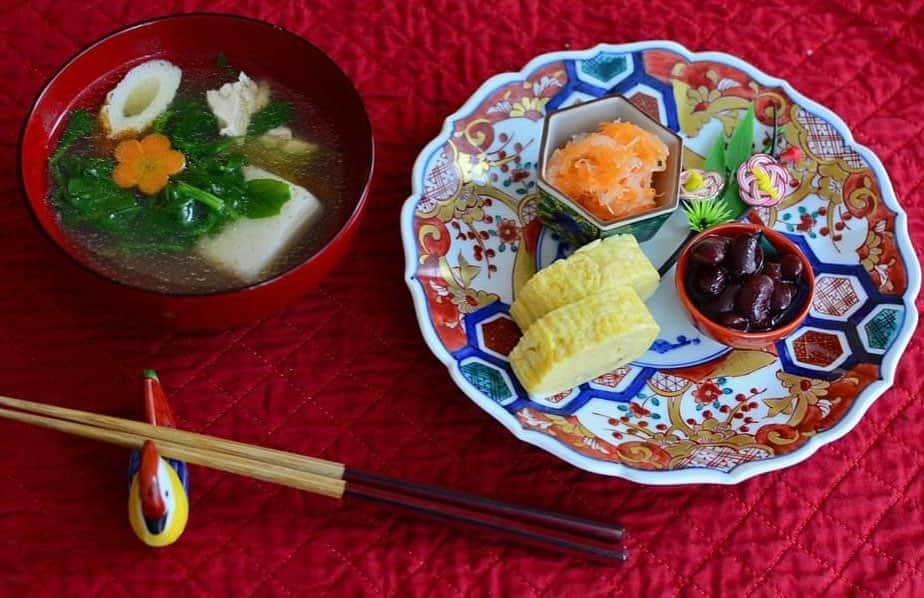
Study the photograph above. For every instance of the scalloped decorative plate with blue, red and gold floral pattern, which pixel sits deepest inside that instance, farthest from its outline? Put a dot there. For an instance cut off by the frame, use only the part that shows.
(690, 410)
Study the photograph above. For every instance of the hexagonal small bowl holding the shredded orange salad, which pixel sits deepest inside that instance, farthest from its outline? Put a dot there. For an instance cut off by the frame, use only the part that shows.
(570, 220)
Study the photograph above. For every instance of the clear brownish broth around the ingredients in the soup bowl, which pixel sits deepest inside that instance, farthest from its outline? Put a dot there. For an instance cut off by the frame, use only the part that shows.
(184, 271)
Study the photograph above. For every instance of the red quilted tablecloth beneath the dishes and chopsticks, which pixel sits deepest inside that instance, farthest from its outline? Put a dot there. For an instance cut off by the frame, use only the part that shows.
(345, 374)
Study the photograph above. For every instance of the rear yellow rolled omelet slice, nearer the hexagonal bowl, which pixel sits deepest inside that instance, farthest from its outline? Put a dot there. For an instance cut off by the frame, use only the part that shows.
(601, 265)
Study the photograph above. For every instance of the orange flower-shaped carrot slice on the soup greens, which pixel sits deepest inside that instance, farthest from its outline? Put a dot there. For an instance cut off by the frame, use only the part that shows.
(147, 164)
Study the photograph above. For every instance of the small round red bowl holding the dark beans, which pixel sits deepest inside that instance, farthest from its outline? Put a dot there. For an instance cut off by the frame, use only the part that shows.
(730, 336)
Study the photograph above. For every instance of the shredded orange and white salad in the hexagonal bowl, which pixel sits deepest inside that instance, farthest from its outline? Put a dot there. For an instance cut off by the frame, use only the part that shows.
(609, 171)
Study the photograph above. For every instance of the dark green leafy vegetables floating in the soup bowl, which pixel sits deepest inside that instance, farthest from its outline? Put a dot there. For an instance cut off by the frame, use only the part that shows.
(201, 200)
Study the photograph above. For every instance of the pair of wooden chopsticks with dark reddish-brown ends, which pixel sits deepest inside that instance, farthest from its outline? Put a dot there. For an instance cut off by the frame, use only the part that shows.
(328, 478)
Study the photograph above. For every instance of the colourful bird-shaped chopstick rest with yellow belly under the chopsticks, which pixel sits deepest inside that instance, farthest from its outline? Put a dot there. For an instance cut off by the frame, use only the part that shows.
(158, 503)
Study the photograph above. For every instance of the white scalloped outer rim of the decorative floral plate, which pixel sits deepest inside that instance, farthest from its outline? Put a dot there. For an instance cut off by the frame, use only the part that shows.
(677, 476)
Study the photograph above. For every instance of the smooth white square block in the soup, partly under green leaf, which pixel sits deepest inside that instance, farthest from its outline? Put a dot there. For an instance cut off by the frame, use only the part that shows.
(247, 247)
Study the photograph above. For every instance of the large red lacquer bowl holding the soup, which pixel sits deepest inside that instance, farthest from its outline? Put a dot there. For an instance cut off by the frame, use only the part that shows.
(190, 40)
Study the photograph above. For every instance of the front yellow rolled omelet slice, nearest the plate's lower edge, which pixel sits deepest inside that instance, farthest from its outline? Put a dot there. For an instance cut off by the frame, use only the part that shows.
(583, 340)
